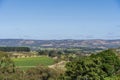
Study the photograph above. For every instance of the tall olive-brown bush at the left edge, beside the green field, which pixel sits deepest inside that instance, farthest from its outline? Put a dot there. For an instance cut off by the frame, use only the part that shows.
(7, 66)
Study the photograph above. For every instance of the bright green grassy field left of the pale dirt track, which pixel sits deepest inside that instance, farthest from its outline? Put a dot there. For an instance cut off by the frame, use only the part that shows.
(26, 63)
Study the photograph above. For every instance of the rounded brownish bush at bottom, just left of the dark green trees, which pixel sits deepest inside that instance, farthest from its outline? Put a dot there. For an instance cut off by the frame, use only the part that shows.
(41, 73)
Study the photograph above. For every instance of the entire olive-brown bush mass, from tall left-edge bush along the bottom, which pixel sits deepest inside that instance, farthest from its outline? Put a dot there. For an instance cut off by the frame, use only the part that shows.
(8, 71)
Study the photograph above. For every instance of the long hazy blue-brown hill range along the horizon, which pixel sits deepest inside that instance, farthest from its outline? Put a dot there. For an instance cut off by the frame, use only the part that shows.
(68, 43)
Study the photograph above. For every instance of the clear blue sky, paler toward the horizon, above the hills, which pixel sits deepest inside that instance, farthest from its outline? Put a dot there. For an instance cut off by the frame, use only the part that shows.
(59, 19)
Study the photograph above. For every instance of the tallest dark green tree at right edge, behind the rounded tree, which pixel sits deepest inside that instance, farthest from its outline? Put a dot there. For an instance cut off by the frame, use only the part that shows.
(110, 61)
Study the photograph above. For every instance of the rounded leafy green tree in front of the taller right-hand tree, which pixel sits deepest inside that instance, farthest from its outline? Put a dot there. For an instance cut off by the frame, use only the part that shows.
(84, 69)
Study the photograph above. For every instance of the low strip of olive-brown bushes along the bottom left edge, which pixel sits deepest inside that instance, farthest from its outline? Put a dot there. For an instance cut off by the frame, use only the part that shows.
(36, 73)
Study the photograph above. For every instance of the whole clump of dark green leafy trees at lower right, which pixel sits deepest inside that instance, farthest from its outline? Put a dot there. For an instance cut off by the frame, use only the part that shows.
(96, 67)
